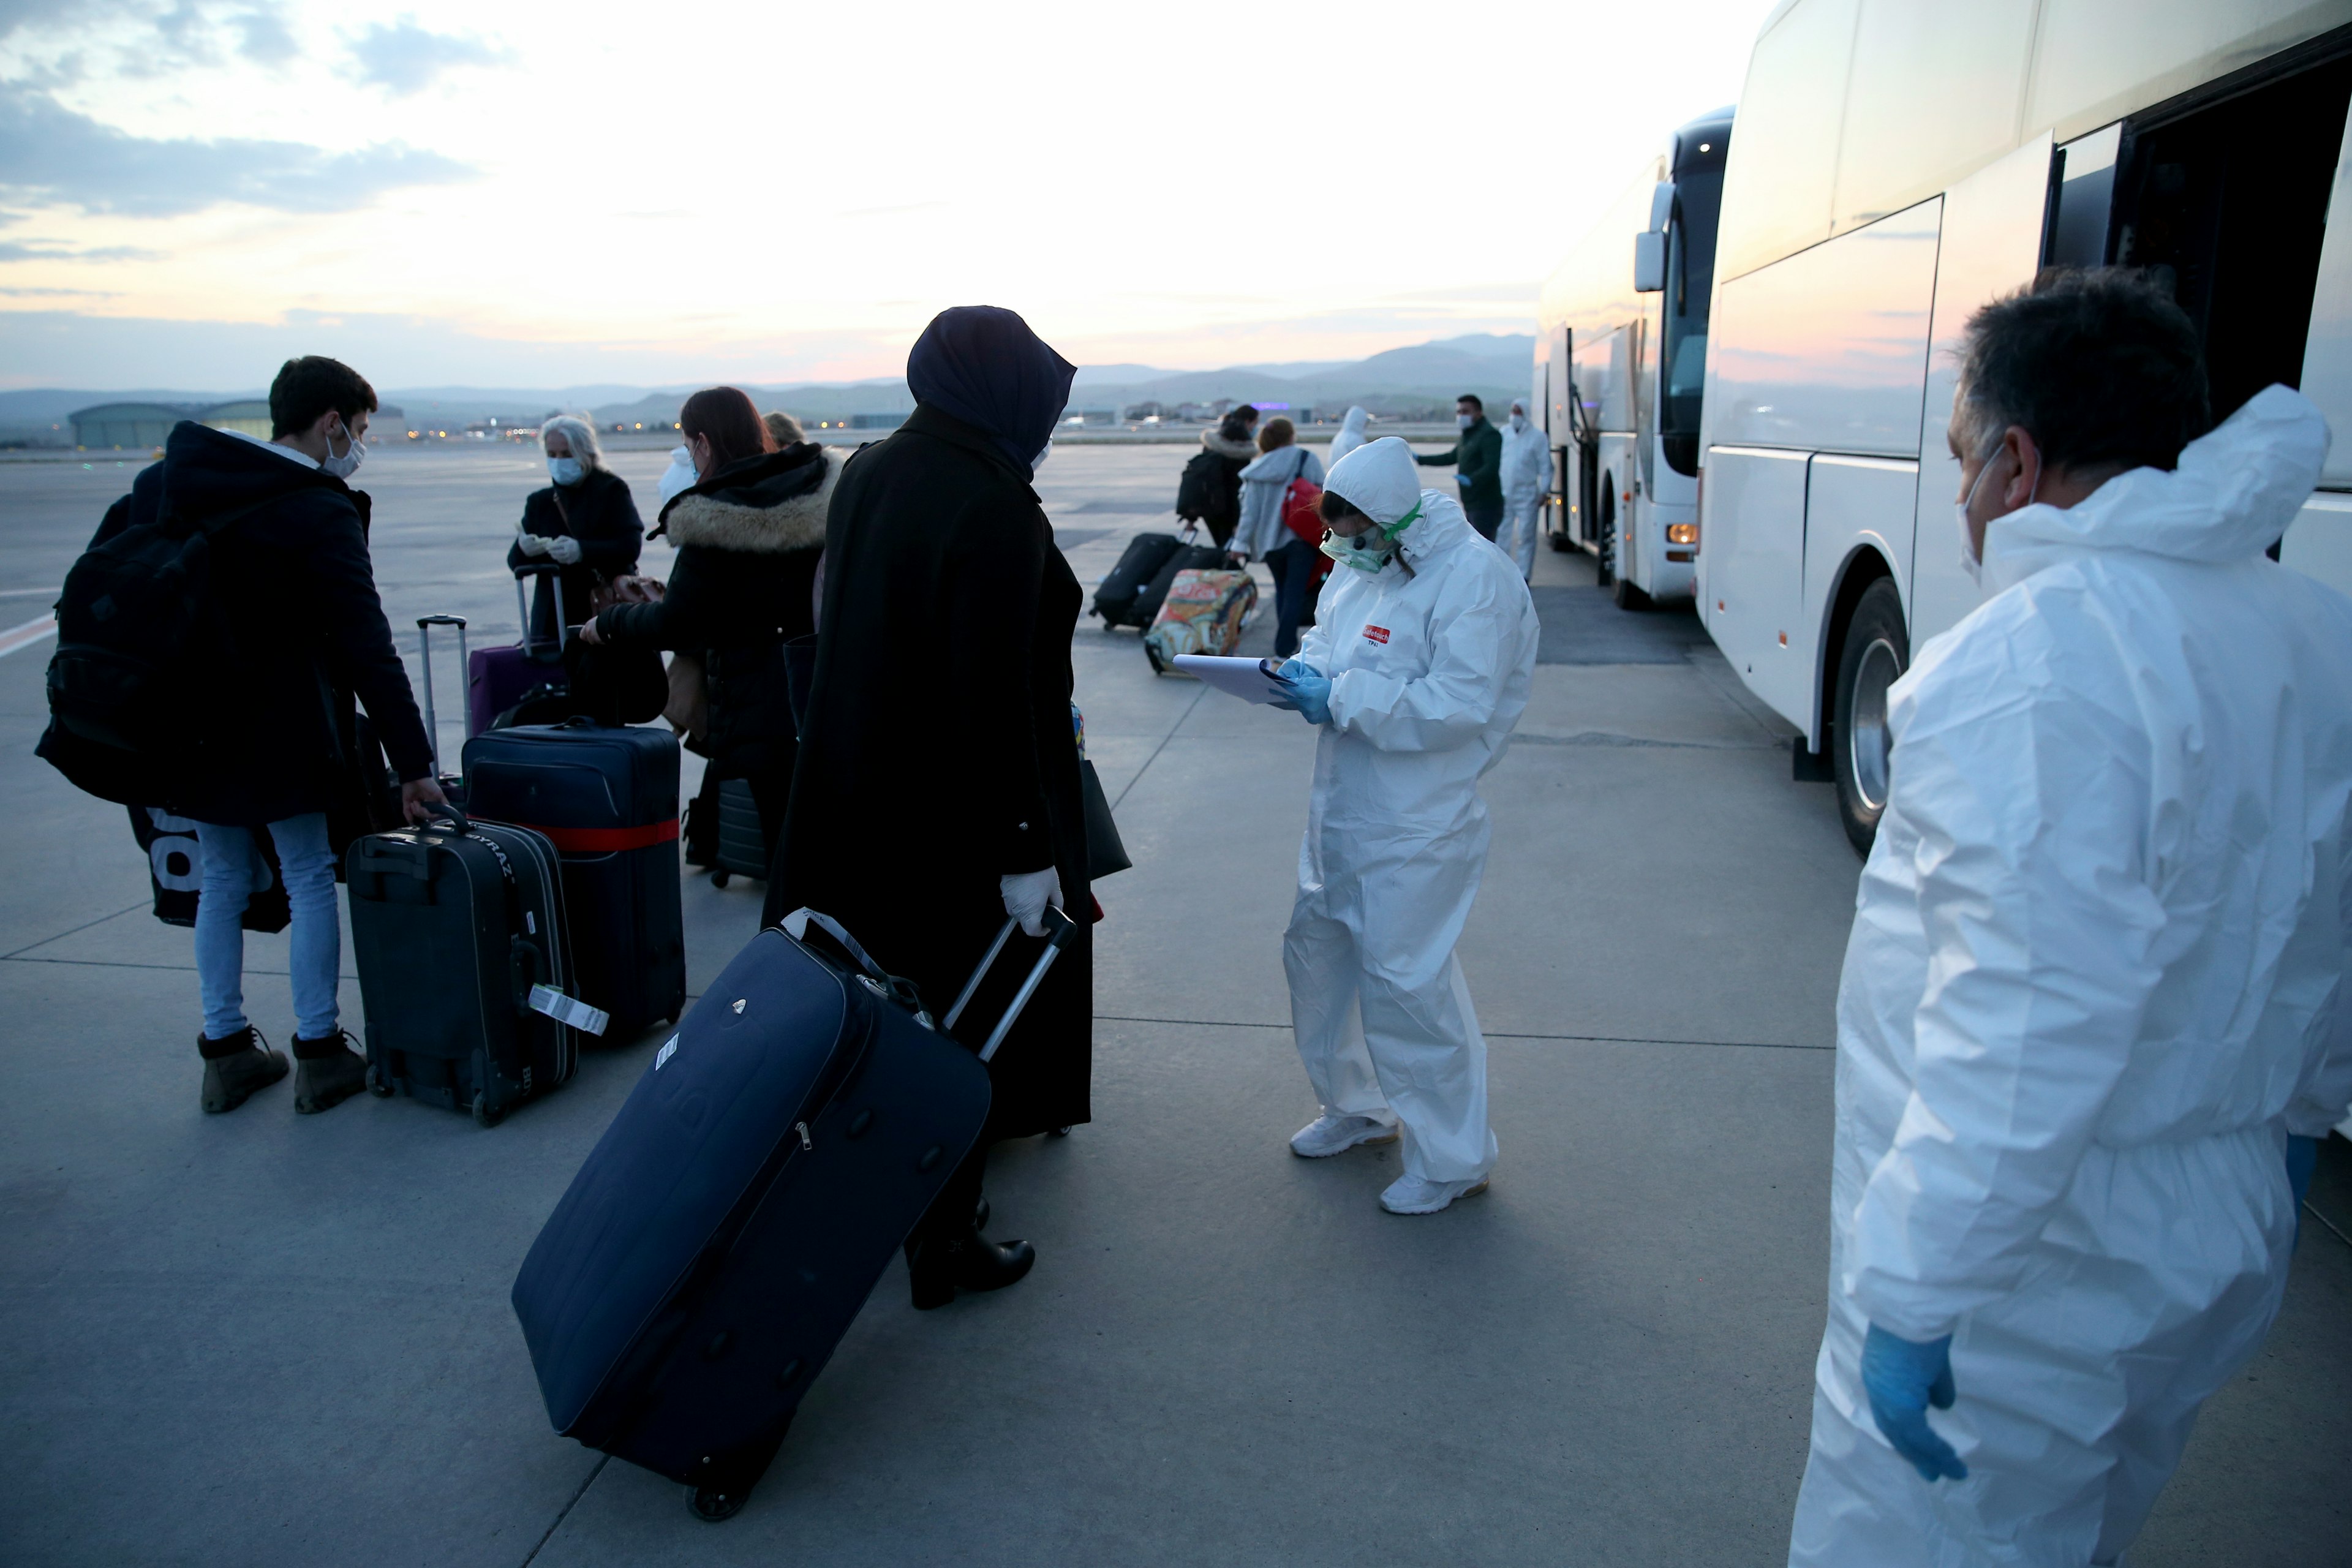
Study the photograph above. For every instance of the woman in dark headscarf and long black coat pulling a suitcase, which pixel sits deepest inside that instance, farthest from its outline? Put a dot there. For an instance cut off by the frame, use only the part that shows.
(937, 786)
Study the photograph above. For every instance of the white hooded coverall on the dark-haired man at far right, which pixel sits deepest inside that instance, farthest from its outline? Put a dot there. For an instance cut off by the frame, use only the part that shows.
(2090, 991)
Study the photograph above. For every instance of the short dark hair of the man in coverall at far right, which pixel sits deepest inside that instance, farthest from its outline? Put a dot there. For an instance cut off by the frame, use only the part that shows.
(2099, 366)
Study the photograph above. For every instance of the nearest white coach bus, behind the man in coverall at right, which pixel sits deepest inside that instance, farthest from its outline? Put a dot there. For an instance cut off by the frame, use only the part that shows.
(1899, 166)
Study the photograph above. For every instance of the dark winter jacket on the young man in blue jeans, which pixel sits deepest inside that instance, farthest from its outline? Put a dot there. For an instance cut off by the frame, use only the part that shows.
(305, 624)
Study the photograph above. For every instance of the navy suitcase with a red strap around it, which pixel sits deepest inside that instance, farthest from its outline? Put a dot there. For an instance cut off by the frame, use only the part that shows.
(608, 798)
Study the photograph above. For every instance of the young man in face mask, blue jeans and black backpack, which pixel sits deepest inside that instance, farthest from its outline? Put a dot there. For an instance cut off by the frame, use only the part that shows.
(211, 645)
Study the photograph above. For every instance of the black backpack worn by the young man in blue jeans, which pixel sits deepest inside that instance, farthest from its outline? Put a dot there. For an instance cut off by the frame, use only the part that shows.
(138, 634)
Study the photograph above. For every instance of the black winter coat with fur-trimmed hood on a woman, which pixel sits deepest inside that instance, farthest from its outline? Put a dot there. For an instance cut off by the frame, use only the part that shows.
(747, 556)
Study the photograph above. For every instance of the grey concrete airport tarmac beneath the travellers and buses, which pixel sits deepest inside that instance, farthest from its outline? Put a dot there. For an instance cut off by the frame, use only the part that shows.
(272, 1339)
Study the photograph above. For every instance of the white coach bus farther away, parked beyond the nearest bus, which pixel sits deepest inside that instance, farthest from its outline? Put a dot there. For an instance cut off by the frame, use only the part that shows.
(1629, 302)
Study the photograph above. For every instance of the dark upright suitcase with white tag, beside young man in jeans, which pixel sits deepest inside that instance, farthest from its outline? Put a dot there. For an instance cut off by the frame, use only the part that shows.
(465, 967)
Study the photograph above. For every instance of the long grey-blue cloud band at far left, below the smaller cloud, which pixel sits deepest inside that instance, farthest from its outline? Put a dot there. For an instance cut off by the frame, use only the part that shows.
(53, 154)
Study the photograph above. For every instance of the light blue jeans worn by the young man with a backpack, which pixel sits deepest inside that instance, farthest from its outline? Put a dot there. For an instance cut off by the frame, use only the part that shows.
(220, 939)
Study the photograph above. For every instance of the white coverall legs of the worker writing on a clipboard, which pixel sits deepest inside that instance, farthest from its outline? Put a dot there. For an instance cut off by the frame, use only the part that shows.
(1382, 1010)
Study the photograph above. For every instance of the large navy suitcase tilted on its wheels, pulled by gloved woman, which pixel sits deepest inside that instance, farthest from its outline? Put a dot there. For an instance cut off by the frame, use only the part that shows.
(744, 1202)
